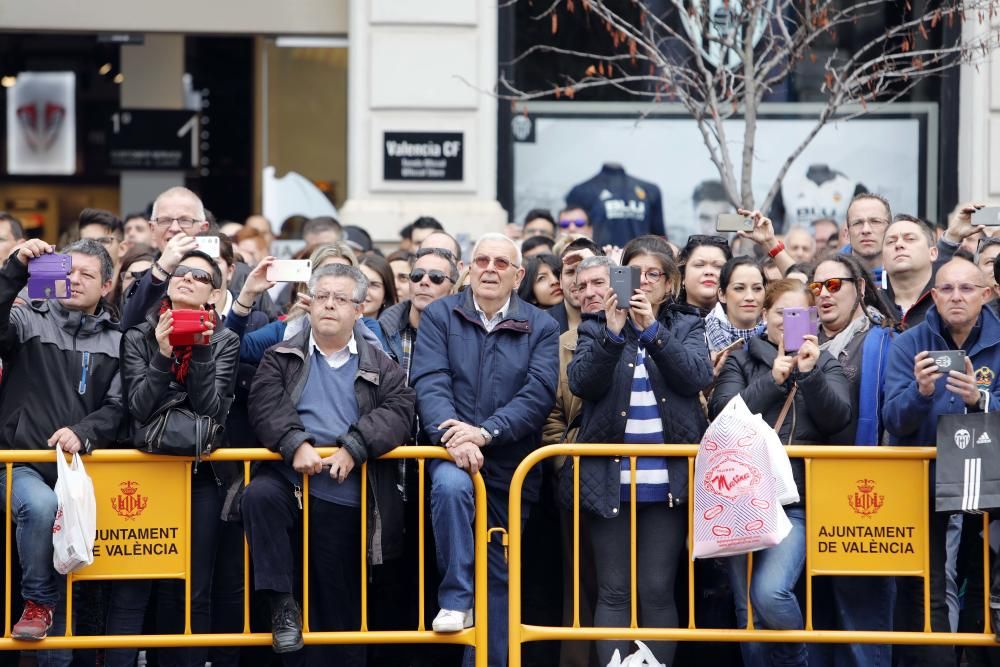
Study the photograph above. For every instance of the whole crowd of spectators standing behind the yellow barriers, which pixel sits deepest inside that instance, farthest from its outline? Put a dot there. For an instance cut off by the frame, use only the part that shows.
(488, 352)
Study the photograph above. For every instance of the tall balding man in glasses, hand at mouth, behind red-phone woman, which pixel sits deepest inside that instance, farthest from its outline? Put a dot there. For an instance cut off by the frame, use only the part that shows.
(178, 216)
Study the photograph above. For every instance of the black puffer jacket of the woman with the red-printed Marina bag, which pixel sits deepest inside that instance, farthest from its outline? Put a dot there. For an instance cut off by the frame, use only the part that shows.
(822, 405)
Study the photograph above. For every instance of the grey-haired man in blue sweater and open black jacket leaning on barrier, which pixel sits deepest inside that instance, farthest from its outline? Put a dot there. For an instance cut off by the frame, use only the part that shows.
(323, 387)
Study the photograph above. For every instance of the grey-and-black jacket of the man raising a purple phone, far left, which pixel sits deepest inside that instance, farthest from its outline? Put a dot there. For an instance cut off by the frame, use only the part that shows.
(60, 369)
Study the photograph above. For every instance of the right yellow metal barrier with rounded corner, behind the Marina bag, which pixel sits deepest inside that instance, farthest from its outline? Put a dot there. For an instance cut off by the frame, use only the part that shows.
(520, 633)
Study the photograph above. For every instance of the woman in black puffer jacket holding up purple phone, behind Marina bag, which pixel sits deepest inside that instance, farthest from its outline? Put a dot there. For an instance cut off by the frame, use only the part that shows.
(812, 383)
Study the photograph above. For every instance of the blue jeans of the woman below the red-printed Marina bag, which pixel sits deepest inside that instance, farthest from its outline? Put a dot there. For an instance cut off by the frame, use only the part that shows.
(772, 594)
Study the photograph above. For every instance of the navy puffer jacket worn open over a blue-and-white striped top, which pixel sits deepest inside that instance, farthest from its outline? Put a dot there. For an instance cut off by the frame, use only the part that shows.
(601, 374)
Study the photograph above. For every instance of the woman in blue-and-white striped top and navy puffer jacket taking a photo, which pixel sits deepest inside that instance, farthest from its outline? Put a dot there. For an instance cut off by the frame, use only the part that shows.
(638, 368)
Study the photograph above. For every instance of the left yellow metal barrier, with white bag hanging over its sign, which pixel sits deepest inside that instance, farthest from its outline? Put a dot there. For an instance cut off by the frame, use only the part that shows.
(474, 636)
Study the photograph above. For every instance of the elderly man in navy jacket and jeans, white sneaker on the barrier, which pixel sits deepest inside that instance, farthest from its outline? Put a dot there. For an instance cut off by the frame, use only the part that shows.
(485, 369)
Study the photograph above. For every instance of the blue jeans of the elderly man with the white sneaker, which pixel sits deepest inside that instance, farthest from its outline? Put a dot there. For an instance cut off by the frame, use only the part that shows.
(453, 511)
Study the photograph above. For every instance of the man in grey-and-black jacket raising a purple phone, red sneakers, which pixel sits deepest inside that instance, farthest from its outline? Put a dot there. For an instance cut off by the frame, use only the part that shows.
(61, 388)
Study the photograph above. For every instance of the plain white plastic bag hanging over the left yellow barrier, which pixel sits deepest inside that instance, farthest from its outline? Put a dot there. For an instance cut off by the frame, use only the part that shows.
(75, 526)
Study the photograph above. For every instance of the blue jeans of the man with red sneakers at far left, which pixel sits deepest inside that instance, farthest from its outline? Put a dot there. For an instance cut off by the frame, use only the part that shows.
(33, 504)
